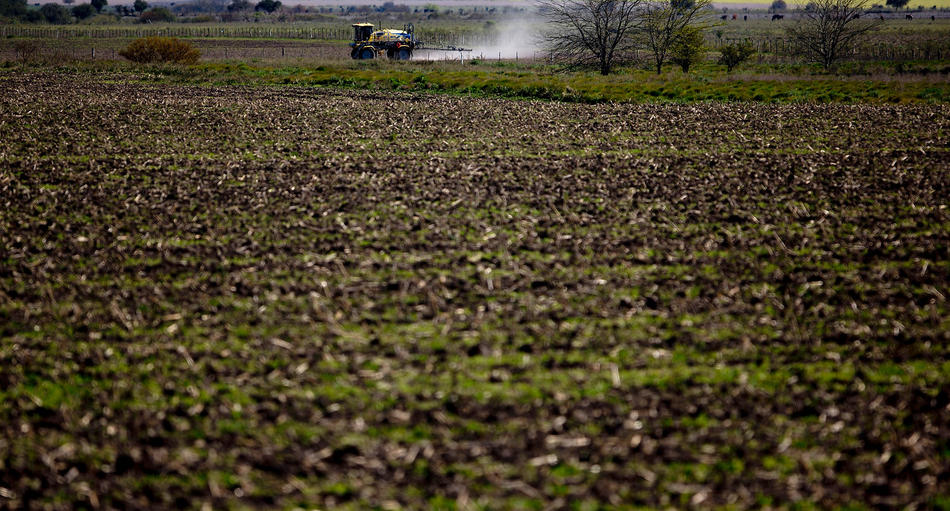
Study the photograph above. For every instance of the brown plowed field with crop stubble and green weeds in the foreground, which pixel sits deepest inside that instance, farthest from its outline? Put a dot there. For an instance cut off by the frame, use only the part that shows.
(280, 297)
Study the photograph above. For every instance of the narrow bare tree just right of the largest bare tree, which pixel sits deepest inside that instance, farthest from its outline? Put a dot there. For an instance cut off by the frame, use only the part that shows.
(664, 20)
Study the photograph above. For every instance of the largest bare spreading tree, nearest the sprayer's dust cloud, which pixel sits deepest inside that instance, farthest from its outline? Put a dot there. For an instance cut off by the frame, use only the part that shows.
(591, 32)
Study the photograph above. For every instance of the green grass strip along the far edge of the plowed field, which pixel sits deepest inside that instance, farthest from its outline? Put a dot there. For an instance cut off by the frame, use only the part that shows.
(706, 83)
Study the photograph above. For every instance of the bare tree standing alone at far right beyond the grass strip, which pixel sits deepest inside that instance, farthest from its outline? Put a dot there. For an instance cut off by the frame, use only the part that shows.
(831, 30)
